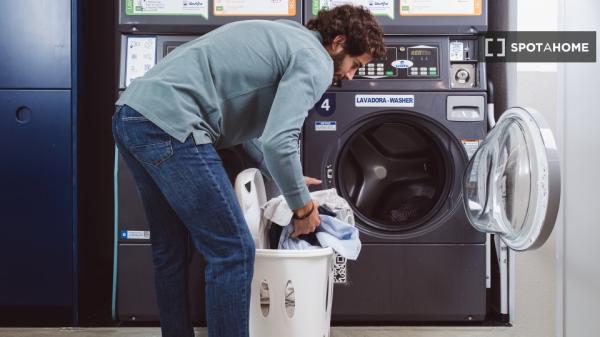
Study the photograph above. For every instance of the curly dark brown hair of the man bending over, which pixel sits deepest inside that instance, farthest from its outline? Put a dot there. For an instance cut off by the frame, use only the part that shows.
(362, 31)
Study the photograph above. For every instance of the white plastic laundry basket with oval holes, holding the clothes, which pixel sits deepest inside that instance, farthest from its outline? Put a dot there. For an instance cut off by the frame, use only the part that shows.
(292, 290)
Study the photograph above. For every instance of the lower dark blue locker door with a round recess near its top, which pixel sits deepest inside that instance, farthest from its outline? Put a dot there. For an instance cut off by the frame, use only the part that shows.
(36, 220)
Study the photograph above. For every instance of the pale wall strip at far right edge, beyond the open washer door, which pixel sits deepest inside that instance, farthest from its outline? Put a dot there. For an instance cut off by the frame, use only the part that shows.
(580, 119)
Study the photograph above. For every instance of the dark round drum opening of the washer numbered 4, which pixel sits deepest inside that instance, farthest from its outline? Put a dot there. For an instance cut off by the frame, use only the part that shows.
(395, 172)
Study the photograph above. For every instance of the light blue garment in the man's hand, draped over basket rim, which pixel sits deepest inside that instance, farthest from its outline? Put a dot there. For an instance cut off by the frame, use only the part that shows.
(340, 236)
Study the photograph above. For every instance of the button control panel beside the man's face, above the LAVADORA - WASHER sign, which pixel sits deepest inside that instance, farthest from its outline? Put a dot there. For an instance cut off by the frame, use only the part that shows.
(405, 61)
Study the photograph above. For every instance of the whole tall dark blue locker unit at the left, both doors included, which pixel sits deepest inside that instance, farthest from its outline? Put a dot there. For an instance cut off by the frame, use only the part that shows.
(38, 278)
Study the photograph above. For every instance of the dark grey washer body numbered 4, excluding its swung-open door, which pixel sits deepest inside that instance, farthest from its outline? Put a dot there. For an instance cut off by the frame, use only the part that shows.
(395, 142)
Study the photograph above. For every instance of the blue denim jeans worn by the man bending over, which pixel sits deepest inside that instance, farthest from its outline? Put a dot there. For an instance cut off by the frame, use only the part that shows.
(185, 191)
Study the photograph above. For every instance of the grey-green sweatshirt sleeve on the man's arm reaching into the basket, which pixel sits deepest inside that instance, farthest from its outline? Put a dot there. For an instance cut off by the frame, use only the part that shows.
(306, 77)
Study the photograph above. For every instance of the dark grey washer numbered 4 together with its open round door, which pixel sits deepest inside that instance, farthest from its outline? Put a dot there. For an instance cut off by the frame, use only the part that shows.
(406, 143)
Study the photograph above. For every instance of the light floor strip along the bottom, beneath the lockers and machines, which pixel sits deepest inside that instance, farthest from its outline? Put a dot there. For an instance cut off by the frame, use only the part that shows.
(335, 332)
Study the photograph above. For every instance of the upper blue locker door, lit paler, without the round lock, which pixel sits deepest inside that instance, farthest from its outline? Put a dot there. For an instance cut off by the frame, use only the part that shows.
(35, 44)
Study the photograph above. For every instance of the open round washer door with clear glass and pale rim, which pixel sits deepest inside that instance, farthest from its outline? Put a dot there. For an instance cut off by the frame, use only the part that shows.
(512, 183)
